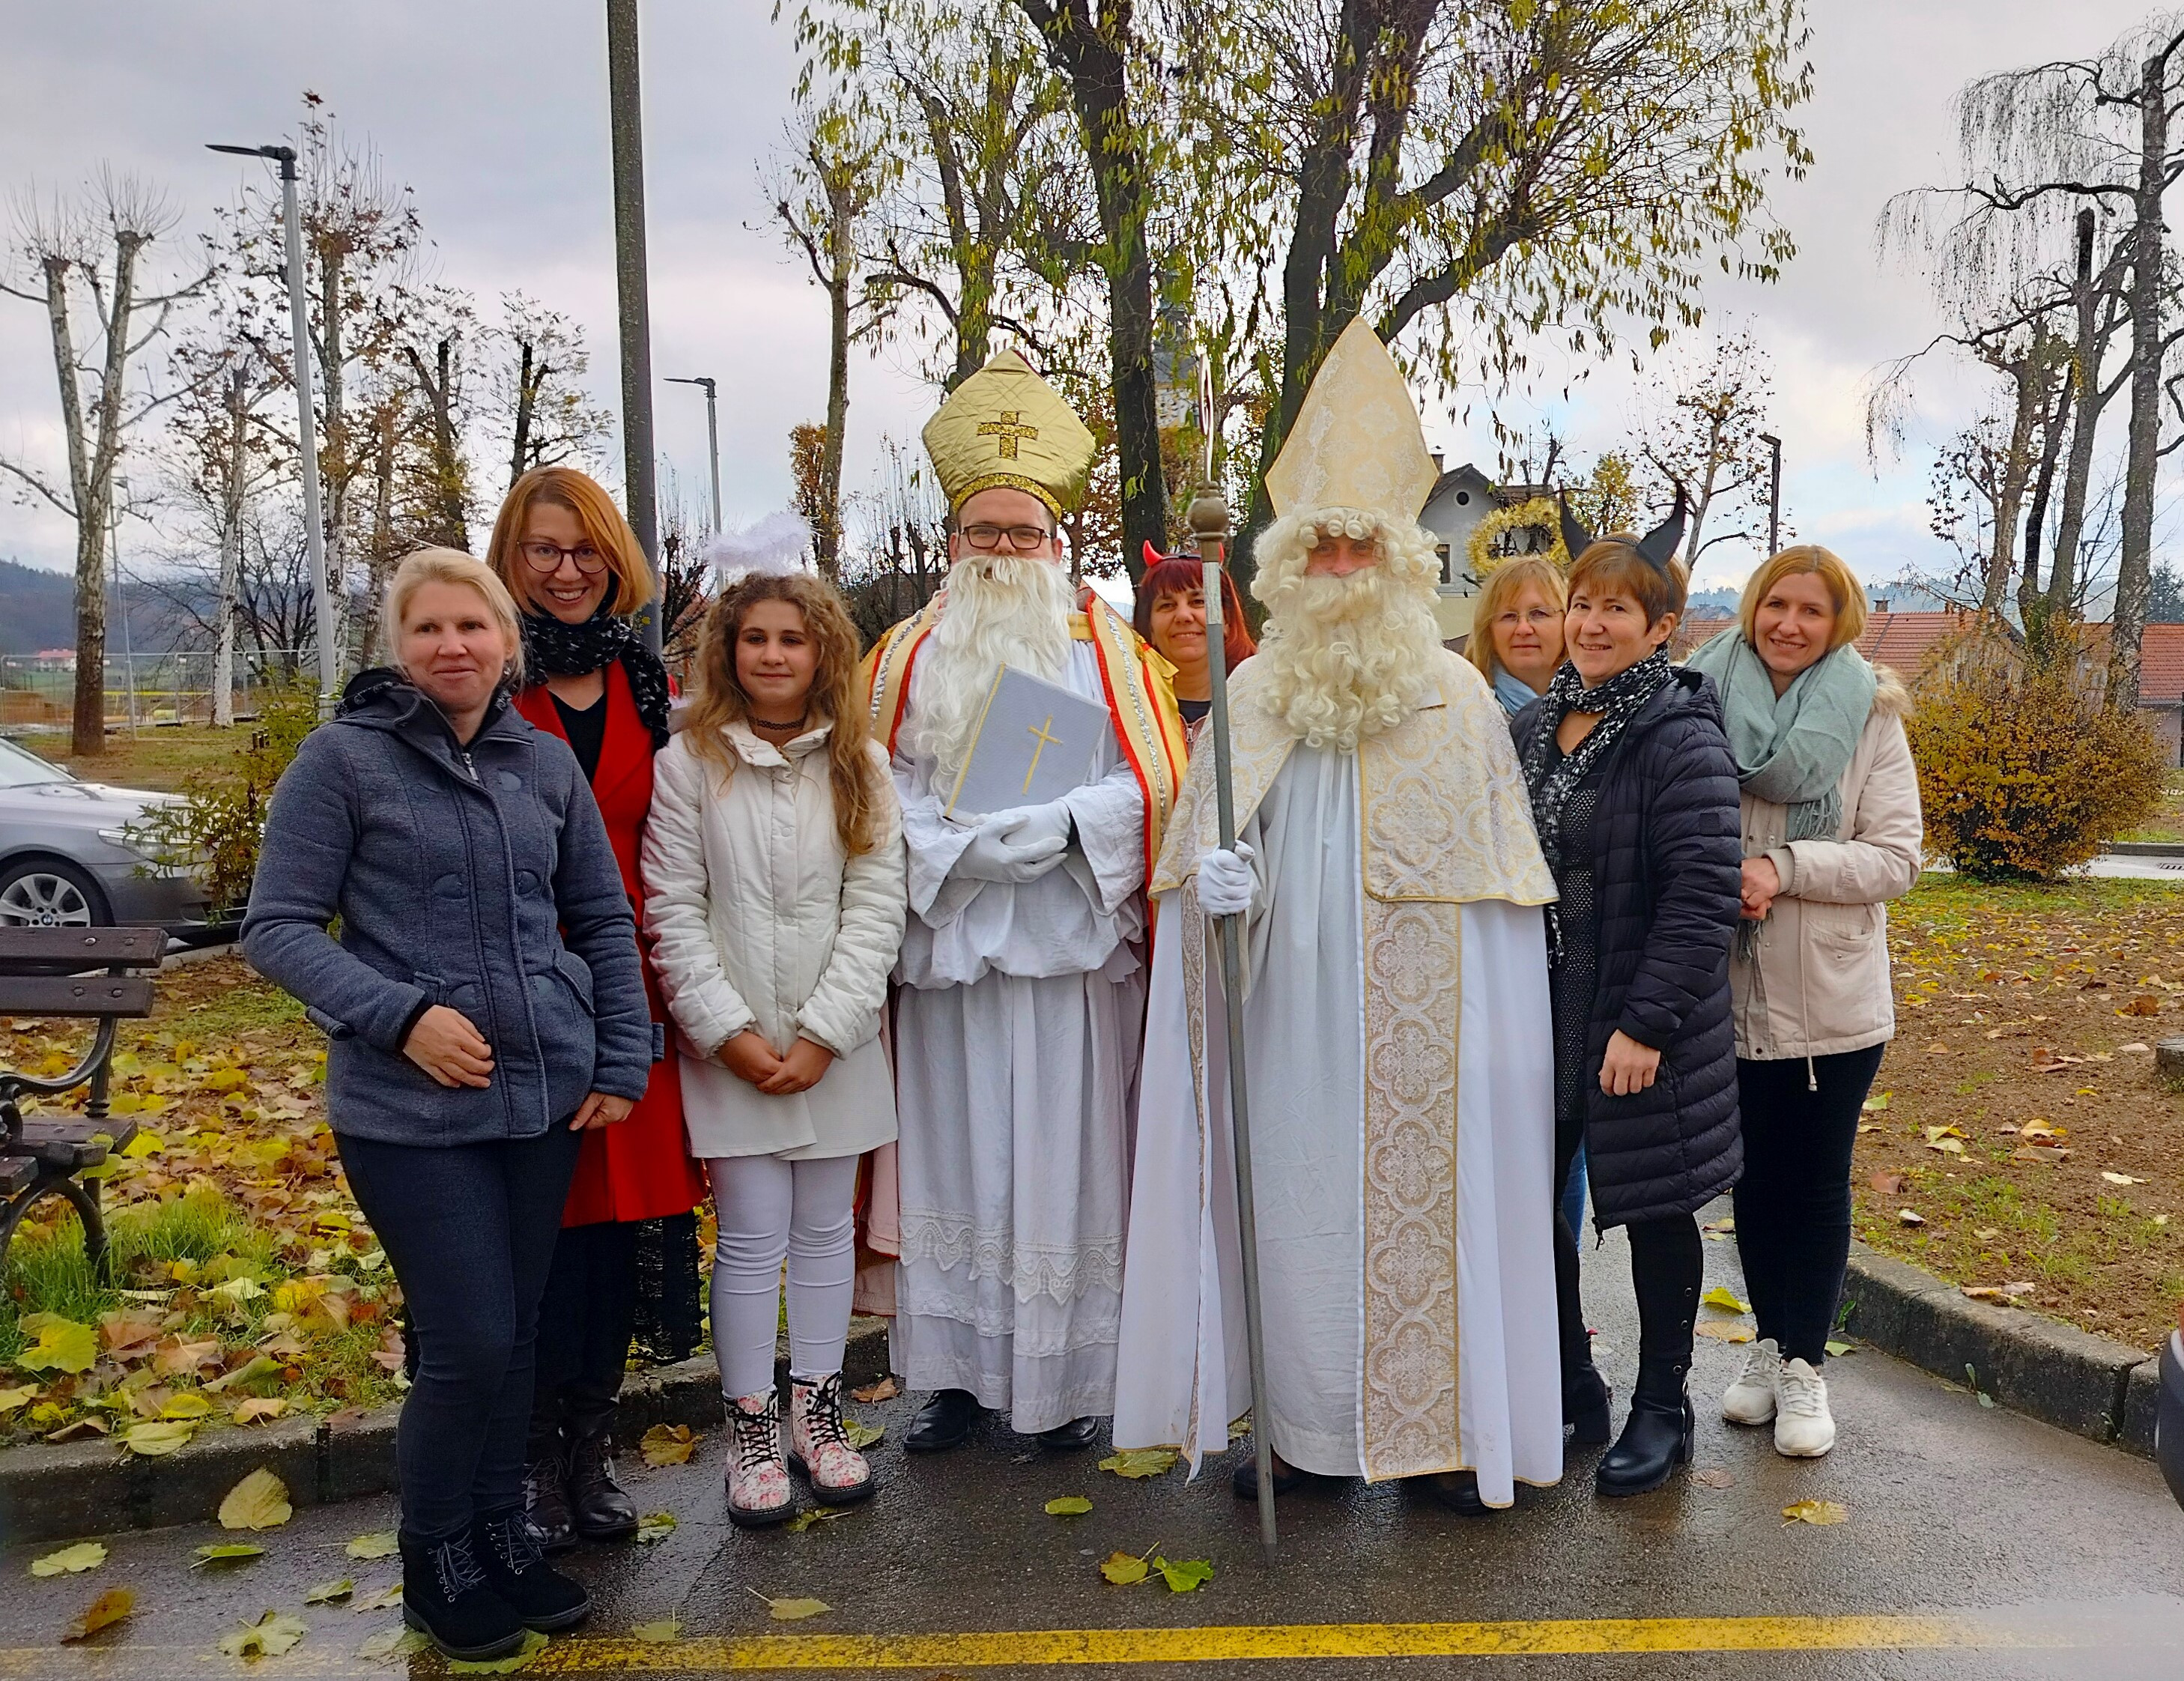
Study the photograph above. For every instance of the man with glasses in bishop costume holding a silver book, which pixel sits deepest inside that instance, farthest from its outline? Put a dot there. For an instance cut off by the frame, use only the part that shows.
(1021, 986)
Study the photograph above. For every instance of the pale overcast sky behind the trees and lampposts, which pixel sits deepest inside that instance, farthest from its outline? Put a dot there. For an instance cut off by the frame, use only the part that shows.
(497, 115)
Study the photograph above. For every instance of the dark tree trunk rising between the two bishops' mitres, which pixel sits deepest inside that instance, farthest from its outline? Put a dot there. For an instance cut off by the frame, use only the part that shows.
(1089, 43)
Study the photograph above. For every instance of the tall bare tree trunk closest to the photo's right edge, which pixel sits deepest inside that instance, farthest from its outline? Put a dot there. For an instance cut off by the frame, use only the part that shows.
(2135, 571)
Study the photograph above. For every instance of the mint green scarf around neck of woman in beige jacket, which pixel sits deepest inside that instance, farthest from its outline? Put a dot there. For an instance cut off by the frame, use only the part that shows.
(1792, 750)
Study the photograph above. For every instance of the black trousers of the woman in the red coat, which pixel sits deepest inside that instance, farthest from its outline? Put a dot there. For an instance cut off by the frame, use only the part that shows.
(584, 1333)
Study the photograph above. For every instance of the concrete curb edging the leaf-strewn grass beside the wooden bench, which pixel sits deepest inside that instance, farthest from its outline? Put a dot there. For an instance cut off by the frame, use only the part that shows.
(91, 1488)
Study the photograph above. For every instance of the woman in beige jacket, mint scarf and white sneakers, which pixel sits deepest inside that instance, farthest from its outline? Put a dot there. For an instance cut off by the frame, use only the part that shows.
(1831, 833)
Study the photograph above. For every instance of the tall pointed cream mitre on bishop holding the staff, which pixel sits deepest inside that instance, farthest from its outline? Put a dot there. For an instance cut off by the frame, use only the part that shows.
(1357, 442)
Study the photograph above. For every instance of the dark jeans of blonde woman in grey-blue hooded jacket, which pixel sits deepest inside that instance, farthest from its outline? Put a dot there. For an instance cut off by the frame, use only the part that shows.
(471, 1232)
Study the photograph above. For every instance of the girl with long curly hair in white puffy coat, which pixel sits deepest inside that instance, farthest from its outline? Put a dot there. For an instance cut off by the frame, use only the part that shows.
(776, 892)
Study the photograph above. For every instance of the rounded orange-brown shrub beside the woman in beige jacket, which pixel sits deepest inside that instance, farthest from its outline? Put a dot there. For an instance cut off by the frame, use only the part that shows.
(2026, 776)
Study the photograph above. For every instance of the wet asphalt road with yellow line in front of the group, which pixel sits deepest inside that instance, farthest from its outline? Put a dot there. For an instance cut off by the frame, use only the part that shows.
(2054, 1560)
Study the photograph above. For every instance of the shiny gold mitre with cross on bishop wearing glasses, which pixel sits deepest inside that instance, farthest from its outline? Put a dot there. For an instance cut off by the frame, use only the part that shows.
(1006, 427)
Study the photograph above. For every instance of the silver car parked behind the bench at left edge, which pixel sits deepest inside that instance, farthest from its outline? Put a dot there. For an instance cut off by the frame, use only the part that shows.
(71, 855)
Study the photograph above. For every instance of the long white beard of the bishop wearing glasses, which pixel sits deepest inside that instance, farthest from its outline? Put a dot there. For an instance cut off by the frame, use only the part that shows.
(1004, 610)
